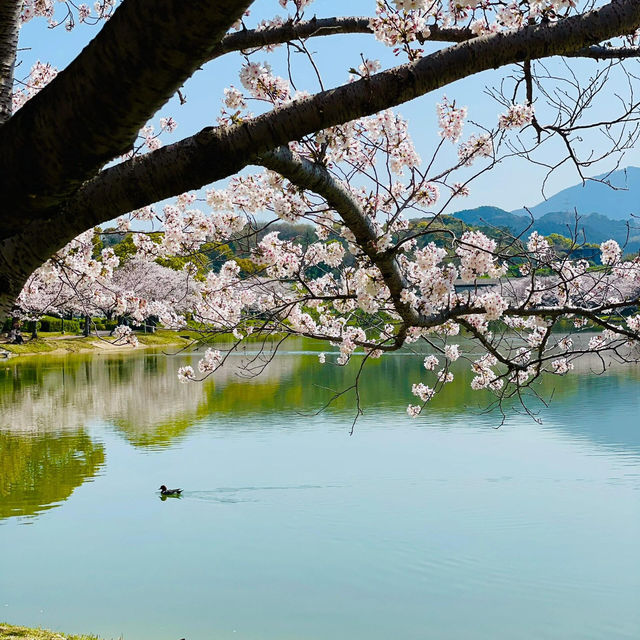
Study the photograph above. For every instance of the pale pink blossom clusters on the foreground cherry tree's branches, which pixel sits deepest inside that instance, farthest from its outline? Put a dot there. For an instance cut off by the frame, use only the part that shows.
(377, 269)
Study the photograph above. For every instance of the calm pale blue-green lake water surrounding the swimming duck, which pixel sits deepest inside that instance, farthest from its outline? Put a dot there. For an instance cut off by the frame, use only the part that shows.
(441, 527)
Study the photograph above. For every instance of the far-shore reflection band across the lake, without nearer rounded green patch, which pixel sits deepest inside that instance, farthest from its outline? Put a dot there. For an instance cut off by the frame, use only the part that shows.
(138, 393)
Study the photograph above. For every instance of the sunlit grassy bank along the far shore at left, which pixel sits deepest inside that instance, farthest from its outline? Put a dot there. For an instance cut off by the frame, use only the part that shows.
(65, 344)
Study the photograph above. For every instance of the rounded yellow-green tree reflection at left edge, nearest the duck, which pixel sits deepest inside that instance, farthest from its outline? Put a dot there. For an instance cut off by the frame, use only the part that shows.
(40, 471)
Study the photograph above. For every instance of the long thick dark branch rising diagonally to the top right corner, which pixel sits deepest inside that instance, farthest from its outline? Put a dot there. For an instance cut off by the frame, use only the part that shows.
(216, 153)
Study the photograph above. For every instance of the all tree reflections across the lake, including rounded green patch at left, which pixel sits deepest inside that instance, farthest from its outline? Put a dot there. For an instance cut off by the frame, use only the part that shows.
(48, 404)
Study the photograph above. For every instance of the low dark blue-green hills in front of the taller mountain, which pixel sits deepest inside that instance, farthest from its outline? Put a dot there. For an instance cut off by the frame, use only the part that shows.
(594, 227)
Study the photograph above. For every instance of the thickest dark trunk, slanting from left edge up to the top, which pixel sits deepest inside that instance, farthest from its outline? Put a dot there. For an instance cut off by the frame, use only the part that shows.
(92, 111)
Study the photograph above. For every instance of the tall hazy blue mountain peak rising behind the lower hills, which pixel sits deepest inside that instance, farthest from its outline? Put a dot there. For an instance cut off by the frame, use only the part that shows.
(617, 203)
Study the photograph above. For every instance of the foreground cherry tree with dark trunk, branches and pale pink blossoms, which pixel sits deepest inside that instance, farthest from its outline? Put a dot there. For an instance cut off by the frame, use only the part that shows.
(340, 159)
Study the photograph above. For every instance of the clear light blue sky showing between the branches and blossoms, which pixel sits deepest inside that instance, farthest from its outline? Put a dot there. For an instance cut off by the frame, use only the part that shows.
(515, 183)
